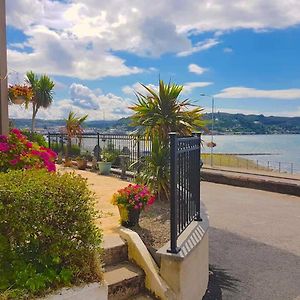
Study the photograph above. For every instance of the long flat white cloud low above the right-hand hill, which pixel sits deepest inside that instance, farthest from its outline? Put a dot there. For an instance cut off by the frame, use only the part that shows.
(245, 92)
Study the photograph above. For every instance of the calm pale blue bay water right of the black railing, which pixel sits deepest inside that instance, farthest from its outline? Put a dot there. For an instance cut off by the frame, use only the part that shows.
(283, 148)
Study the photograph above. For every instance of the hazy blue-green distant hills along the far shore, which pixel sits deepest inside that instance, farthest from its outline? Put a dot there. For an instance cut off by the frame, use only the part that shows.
(225, 123)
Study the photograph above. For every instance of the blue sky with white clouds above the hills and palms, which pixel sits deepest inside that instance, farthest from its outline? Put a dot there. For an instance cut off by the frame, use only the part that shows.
(243, 53)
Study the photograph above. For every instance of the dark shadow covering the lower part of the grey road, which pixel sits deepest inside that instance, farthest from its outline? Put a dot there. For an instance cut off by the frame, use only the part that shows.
(243, 268)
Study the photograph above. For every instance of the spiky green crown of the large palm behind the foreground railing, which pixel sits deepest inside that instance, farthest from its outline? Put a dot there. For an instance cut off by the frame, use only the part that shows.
(159, 113)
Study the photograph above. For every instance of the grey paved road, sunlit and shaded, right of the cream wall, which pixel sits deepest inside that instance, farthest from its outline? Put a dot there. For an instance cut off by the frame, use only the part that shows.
(254, 242)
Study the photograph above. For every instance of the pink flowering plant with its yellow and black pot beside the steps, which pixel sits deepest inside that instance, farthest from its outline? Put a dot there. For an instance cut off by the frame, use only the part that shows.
(131, 201)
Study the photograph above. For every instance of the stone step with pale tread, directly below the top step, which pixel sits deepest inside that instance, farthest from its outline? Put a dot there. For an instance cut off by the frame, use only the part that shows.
(124, 281)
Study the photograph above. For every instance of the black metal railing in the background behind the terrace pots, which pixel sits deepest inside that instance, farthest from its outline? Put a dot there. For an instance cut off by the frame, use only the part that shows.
(134, 146)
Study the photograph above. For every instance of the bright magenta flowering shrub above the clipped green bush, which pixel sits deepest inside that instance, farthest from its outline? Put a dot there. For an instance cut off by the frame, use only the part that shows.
(17, 152)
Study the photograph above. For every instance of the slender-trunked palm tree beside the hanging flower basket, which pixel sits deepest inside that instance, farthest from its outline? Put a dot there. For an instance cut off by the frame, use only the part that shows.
(42, 93)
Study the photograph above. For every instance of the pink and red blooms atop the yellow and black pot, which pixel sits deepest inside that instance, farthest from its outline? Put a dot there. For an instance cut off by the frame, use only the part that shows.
(133, 196)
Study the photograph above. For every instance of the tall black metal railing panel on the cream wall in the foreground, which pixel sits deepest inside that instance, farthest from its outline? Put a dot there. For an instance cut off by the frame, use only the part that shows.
(185, 167)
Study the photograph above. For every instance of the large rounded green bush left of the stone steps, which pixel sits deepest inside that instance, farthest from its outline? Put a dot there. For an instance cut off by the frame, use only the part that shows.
(48, 238)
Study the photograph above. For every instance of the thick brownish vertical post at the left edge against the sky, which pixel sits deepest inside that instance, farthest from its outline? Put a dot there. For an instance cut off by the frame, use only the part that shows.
(3, 72)
